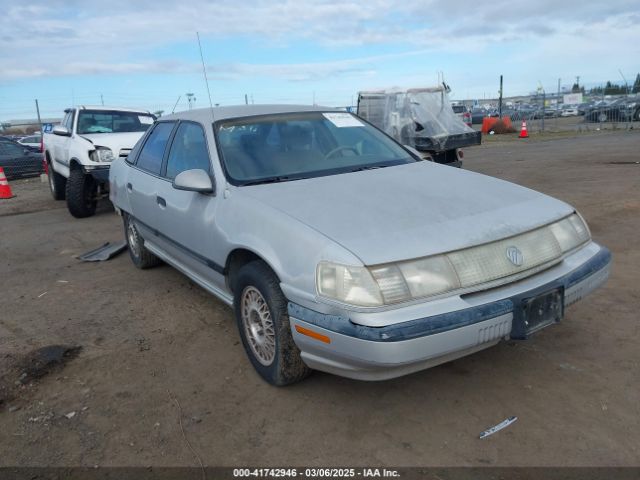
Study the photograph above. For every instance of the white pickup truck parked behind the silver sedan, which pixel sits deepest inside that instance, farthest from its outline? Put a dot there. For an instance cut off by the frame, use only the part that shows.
(79, 152)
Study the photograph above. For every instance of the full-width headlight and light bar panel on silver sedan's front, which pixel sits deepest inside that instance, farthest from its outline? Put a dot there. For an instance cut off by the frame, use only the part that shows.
(424, 277)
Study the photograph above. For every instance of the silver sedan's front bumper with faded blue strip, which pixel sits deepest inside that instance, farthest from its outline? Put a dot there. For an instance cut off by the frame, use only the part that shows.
(378, 353)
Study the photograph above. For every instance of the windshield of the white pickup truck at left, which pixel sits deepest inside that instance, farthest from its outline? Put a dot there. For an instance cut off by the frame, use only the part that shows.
(105, 121)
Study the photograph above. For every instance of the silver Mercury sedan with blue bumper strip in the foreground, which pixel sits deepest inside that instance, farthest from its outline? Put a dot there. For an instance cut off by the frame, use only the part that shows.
(342, 251)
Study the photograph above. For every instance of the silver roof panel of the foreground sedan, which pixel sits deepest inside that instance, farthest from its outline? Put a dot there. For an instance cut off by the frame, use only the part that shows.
(205, 115)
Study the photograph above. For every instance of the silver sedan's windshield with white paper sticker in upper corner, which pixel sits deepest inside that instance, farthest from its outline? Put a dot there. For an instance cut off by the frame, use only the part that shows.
(290, 146)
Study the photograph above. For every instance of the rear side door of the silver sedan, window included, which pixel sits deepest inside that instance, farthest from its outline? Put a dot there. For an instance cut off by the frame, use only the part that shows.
(144, 181)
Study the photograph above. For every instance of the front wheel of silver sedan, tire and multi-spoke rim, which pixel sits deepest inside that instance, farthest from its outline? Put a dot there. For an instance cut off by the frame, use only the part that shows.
(263, 322)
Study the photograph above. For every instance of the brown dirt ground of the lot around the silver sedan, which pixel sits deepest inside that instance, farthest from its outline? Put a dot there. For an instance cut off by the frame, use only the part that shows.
(152, 337)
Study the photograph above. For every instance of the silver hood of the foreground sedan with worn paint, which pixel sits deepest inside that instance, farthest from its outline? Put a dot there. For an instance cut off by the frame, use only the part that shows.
(410, 211)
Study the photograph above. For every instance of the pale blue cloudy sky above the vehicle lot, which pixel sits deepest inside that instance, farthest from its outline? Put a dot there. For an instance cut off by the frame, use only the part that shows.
(144, 53)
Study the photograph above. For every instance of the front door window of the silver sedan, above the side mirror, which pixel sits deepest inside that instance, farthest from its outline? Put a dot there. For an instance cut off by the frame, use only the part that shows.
(188, 150)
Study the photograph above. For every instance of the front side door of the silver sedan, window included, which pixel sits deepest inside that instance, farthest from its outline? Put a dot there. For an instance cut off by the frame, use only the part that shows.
(187, 220)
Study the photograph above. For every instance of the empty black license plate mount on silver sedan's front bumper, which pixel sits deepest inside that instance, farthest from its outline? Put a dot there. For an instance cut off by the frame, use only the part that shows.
(538, 312)
